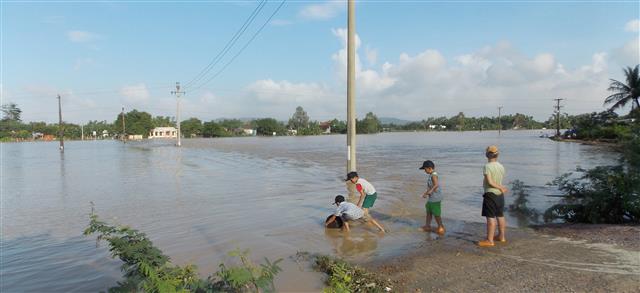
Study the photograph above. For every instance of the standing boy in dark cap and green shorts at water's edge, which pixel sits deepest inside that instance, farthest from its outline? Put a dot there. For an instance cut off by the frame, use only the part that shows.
(433, 205)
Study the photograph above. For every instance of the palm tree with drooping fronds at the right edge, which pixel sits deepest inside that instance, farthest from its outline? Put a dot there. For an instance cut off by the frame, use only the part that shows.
(625, 93)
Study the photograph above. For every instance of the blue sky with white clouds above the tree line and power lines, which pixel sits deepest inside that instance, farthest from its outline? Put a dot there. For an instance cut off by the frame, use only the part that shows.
(416, 58)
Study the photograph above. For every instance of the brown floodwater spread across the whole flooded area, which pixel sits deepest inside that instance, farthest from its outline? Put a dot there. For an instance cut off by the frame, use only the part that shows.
(268, 195)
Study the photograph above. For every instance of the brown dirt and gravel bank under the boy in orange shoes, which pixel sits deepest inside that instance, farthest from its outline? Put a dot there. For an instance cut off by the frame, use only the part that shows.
(556, 258)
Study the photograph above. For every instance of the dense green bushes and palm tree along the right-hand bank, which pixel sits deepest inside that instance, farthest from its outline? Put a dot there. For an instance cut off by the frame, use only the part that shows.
(606, 194)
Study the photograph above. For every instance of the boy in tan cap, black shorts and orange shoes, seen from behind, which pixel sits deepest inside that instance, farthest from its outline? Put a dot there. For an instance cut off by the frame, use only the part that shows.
(493, 202)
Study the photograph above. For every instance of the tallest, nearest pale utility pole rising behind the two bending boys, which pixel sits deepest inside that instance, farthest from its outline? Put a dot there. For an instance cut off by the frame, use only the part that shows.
(351, 87)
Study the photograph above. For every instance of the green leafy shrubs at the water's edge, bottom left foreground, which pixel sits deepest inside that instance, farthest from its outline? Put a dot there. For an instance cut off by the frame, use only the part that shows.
(147, 269)
